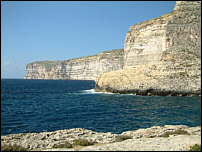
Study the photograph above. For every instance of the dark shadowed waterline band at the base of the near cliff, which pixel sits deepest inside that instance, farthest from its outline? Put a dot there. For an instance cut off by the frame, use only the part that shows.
(149, 92)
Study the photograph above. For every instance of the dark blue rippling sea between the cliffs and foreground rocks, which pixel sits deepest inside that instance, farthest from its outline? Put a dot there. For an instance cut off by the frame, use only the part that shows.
(50, 105)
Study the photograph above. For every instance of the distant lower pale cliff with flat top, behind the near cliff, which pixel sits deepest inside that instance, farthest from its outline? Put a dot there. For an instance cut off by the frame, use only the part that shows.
(84, 68)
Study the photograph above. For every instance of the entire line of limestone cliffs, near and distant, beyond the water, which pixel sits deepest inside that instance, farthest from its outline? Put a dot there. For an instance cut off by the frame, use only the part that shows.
(161, 56)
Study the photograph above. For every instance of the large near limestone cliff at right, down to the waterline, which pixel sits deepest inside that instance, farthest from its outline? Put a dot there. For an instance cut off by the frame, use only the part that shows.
(162, 55)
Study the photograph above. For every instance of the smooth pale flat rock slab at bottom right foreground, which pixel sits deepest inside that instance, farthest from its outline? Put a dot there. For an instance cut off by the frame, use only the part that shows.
(173, 143)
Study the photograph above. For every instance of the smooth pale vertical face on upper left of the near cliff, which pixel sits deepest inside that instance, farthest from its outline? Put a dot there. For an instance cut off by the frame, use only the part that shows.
(145, 42)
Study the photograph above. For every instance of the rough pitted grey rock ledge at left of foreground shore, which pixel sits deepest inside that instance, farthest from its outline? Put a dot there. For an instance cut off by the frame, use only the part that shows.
(46, 140)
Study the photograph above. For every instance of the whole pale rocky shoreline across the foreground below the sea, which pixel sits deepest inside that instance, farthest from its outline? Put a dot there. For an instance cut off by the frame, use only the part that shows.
(155, 138)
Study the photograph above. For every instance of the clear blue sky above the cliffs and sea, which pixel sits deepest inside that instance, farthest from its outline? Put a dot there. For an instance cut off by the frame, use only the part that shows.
(60, 30)
